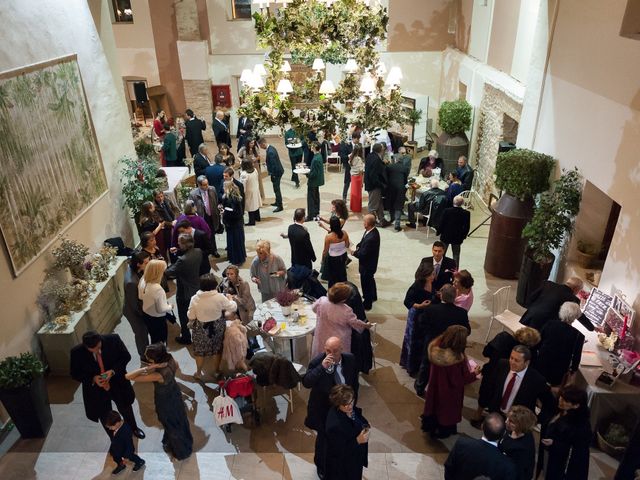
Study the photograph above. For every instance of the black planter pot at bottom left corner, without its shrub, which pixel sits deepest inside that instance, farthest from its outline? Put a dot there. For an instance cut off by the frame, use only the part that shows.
(29, 408)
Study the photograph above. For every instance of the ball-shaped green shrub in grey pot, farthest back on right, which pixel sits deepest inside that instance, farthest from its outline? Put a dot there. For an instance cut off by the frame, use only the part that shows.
(454, 119)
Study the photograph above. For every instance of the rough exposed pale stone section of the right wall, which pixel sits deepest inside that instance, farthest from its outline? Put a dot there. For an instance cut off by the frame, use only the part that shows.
(495, 103)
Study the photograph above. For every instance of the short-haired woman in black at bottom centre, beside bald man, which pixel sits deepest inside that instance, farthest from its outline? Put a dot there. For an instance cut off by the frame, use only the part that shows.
(347, 437)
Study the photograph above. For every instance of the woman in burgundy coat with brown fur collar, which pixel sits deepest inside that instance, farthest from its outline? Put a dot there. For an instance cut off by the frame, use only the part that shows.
(450, 372)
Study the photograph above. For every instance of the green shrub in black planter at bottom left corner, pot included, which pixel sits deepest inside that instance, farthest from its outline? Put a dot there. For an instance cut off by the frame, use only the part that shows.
(24, 394)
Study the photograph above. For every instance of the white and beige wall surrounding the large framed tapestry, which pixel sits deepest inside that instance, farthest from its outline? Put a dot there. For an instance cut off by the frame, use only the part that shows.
(64, 28)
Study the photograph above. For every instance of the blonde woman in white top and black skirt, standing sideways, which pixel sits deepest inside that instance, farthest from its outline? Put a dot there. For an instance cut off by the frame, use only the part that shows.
(154, 300)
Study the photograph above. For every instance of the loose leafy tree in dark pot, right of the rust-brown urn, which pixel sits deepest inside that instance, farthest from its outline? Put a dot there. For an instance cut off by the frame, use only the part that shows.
(552, 223)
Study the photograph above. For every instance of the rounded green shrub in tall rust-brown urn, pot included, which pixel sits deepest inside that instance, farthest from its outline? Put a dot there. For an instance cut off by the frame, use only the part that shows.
(520, 174)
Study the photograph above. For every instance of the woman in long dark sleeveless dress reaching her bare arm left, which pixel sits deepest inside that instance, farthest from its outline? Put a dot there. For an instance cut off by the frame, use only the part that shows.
(167, 397)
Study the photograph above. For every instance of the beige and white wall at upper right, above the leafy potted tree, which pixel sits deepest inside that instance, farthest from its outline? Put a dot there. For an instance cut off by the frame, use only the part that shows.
(590, 118)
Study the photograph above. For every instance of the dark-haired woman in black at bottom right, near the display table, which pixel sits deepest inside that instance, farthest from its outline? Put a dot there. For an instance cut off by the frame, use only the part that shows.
(566, 438)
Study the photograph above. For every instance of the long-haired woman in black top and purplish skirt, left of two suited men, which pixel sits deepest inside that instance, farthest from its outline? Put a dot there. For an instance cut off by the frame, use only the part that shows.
(419, 296)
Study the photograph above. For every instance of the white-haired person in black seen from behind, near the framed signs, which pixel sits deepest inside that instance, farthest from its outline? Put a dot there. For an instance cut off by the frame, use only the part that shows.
(560, 349)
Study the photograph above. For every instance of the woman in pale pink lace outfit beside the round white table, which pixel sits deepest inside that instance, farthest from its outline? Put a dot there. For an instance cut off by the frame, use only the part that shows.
(335, 319)
